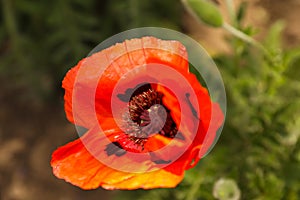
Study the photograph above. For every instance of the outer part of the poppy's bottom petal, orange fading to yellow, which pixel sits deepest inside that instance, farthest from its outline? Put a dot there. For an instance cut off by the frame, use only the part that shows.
(74, 163)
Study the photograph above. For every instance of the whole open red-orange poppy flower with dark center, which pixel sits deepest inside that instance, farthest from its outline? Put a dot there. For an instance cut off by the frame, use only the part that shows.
(146, 117)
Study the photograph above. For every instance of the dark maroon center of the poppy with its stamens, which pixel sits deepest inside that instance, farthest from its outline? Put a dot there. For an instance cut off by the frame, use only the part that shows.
(146, 116)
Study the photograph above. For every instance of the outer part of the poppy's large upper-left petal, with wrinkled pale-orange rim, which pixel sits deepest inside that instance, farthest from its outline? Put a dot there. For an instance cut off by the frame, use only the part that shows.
(116, 61)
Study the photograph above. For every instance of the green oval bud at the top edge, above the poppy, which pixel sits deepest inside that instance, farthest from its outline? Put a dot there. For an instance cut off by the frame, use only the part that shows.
(206, 11)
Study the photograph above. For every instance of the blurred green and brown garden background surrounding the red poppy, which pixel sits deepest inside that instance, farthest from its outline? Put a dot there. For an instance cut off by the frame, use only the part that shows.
(258, 154)
